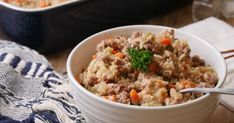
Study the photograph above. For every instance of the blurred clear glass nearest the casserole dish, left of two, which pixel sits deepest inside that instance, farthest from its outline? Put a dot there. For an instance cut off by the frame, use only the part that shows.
(202, 9)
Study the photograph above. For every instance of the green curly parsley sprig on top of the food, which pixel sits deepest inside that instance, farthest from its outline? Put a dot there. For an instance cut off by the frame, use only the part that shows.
(140, 59)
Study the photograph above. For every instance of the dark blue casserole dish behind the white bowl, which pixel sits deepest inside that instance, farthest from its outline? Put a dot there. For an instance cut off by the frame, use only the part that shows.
(58, 26)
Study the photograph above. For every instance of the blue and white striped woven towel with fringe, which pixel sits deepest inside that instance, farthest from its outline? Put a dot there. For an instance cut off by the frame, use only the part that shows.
(31, 91)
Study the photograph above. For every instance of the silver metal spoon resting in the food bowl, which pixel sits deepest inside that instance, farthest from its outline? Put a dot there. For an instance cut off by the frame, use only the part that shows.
(229, 91)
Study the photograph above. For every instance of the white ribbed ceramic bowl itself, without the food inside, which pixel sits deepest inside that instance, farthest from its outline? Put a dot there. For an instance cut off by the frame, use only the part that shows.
(98, 110)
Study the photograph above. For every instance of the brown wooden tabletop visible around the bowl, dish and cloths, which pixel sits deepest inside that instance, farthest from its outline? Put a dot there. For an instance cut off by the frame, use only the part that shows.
(178, 18)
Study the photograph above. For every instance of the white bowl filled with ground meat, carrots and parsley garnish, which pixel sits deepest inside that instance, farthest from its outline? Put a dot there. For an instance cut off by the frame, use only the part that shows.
(135, 73)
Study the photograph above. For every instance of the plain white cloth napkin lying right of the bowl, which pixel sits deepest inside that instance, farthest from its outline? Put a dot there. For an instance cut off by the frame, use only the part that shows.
(221, 35)
